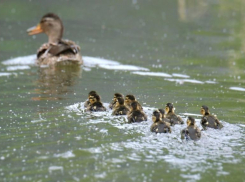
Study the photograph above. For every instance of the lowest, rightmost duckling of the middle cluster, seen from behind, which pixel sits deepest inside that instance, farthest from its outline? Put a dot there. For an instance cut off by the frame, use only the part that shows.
(136, 115)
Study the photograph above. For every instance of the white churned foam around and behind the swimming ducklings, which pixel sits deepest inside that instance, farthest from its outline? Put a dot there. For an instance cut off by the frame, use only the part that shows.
(218, 145)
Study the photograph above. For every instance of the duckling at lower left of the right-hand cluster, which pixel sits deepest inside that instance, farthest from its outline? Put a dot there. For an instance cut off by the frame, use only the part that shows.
(158, 125)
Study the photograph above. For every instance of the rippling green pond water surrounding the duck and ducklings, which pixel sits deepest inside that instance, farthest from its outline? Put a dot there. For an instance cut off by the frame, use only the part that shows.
(44, 134)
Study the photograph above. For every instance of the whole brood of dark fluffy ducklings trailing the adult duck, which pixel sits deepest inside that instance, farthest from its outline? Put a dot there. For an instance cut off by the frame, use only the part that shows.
(163, 119)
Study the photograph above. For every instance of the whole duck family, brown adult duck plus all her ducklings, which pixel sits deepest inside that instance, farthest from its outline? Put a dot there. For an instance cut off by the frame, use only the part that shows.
(65, 52)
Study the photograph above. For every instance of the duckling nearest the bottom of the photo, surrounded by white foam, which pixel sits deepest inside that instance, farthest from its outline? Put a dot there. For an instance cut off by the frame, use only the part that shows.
(192, 131)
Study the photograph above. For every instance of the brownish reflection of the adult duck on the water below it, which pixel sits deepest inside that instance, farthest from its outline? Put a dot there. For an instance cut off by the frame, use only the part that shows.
(56, 81)
